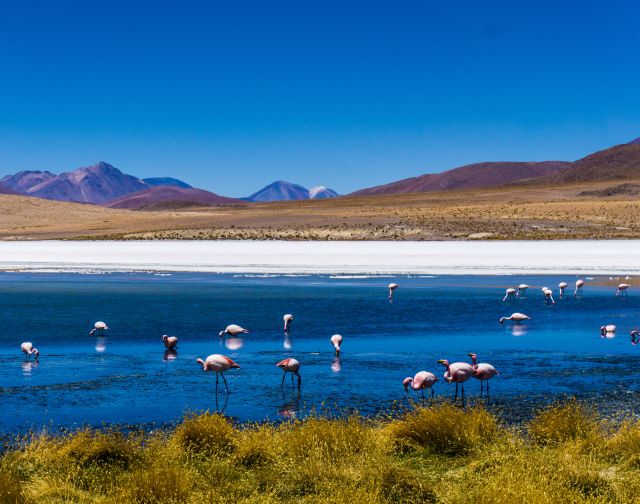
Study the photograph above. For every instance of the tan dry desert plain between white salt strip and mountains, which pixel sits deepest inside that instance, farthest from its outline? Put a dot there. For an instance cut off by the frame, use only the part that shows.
(555, 212)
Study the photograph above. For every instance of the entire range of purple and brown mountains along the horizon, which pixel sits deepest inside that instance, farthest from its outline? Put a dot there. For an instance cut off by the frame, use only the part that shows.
(103, 184)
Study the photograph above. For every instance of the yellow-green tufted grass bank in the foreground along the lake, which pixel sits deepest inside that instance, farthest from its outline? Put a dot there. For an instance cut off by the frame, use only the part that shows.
(437, 454)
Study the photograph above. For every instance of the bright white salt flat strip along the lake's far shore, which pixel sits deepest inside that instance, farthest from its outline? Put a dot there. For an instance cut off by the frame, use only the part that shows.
(460, 257)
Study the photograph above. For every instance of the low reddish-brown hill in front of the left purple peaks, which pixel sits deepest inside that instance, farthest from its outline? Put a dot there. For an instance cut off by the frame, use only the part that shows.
(170, 197)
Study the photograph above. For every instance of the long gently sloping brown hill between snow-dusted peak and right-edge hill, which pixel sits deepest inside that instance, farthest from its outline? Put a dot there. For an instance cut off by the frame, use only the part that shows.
(471, 176)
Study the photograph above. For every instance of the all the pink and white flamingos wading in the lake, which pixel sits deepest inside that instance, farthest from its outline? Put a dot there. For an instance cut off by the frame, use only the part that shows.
(456, 372)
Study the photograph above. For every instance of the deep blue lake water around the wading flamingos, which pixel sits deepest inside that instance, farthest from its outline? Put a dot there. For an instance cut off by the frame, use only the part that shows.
(126, 378)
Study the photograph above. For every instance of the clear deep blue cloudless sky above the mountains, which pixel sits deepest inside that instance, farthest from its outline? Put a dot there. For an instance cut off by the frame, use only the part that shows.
(230, 96)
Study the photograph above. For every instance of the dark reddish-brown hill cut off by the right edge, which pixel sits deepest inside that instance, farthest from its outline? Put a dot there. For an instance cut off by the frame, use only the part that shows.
(621, 162)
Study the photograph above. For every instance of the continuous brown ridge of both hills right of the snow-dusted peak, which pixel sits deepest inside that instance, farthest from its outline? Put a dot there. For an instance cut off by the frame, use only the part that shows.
(621, 162)
